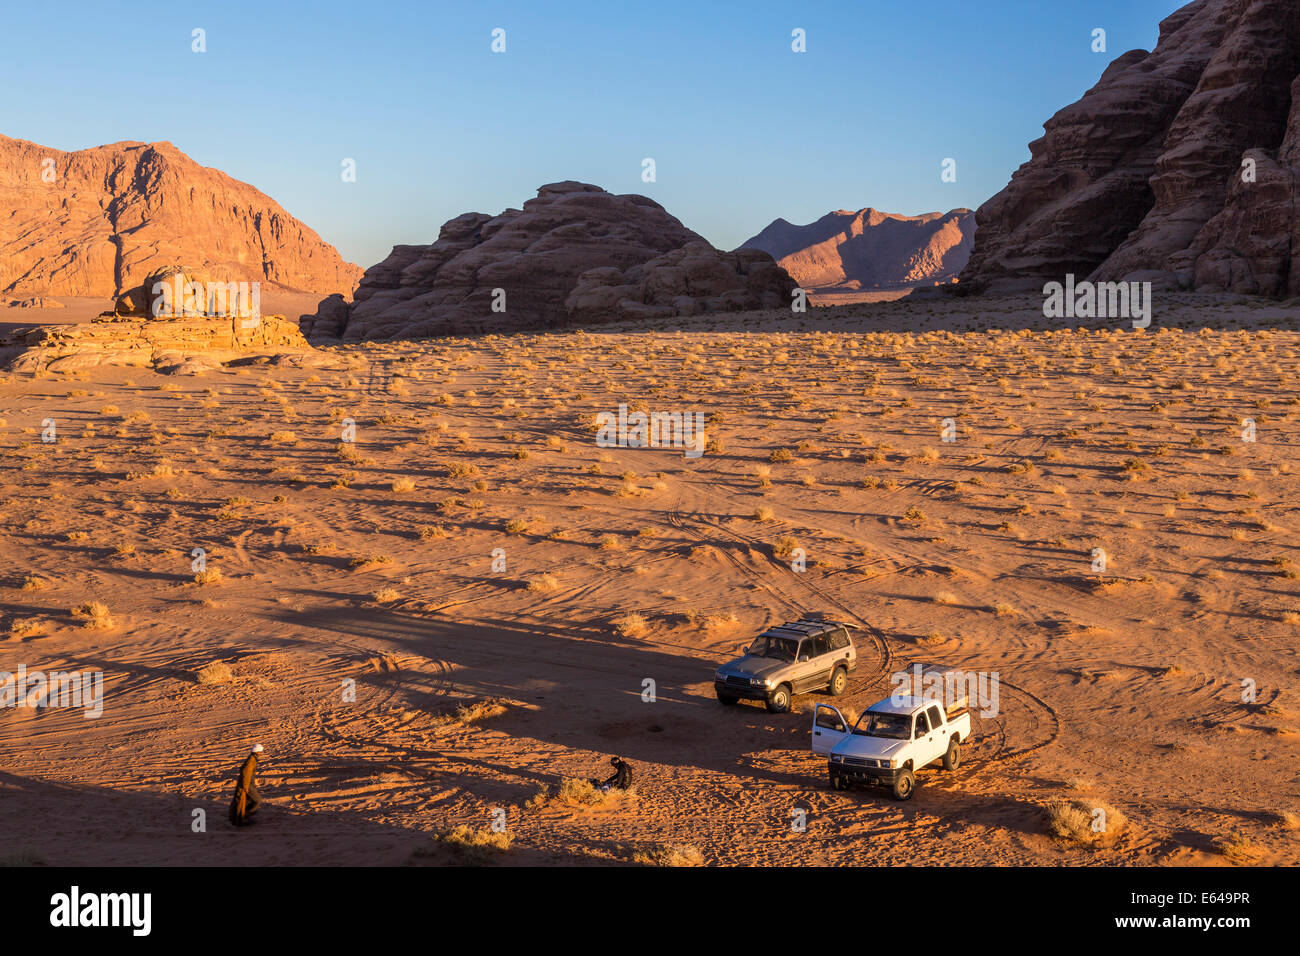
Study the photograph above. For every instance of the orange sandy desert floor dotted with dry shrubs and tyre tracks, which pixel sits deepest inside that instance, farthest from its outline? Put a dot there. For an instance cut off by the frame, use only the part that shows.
(622, 566)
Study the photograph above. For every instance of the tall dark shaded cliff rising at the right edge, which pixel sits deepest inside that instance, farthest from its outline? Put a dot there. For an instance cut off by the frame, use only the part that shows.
(1143, 178)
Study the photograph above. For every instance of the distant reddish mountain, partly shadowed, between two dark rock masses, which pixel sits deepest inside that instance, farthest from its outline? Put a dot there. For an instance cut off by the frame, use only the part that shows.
(870, 249)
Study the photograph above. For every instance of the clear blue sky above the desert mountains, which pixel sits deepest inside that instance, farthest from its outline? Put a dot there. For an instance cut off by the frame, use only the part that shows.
(742, 129)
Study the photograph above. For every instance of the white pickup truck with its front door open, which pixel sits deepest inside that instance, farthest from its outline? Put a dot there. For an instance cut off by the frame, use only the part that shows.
(891, 742)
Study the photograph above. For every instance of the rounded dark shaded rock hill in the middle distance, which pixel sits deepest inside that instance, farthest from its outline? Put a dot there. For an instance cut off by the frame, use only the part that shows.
(538, 257)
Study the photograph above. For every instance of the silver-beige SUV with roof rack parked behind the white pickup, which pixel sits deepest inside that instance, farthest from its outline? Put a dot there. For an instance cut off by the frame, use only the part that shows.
(788, 660)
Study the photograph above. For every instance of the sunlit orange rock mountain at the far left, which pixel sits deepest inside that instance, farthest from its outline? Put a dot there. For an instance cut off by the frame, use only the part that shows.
(112, 215)
